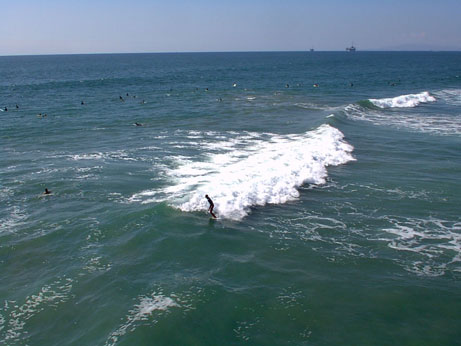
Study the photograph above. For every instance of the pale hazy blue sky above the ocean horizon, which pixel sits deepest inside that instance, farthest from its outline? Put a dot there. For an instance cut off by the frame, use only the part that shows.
(106, 26)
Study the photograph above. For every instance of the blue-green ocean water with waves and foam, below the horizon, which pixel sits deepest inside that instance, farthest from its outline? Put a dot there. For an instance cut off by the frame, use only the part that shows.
(338, 204)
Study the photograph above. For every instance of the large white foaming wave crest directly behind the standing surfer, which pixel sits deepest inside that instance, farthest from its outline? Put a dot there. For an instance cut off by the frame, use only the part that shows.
(251, 170)
